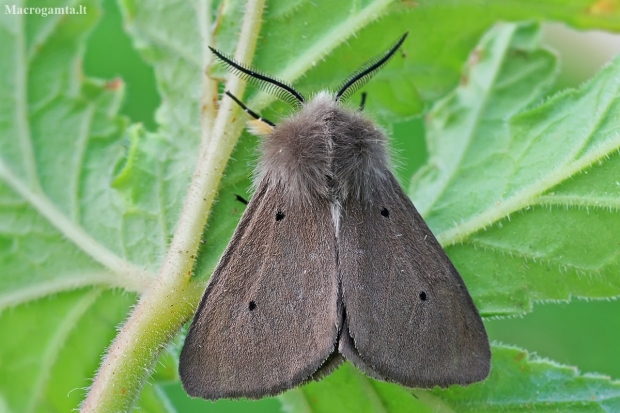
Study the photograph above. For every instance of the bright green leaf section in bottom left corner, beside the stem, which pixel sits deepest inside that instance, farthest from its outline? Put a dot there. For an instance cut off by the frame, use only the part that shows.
(51, 348)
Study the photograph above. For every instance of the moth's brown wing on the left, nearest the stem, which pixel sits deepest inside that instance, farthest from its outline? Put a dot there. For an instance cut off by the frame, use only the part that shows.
(268, 319)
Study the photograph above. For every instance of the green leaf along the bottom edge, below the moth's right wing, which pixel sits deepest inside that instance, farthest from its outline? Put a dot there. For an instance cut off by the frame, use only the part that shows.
(518, 382)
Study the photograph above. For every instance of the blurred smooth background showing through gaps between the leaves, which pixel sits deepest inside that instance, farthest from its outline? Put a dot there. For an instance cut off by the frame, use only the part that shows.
(579, 333)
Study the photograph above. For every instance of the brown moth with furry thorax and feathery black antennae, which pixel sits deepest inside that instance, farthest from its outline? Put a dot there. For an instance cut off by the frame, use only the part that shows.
(330, 261)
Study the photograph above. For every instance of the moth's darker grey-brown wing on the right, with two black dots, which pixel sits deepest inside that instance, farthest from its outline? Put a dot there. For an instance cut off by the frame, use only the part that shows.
(408, 315)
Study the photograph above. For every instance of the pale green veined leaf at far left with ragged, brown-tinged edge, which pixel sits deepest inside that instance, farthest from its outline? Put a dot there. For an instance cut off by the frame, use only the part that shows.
(50, 175)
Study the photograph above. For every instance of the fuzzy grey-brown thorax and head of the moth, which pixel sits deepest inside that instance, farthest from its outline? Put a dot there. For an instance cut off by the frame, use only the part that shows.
(325, 150)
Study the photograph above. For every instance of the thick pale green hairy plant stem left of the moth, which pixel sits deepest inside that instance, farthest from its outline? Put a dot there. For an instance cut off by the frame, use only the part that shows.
(171, 299)
